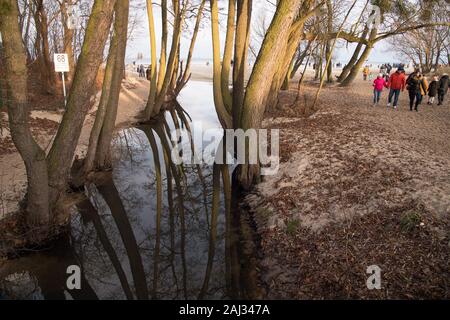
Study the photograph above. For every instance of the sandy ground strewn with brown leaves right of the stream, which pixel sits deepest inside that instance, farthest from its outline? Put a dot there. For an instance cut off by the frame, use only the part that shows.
(367, 186)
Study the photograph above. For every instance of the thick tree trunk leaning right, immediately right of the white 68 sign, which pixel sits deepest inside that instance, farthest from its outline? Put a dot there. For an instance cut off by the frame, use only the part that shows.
(63, 149)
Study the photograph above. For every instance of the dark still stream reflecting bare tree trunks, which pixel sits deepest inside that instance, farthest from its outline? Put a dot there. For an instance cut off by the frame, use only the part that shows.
(129, 246)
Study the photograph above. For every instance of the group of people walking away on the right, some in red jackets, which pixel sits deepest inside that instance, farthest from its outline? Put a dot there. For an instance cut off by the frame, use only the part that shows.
(416, 84)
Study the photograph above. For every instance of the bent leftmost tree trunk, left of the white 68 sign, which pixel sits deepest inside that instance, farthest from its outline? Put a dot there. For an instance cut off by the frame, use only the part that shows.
(38, 214)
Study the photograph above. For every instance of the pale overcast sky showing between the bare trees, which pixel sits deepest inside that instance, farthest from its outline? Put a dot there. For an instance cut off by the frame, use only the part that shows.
(203, 50)
